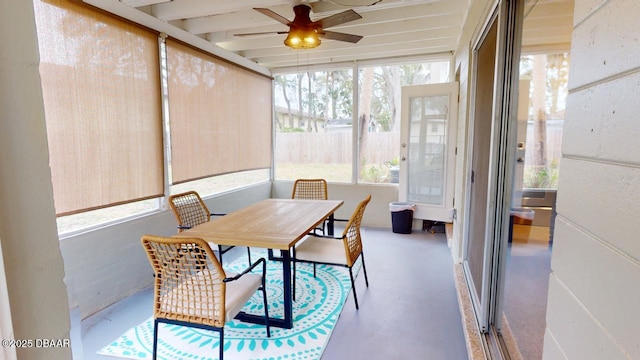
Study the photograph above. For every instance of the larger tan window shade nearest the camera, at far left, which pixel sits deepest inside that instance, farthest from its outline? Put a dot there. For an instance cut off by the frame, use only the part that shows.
(101, 89)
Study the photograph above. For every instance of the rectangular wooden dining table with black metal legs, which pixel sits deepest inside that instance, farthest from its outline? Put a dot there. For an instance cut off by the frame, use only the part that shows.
(273, 224)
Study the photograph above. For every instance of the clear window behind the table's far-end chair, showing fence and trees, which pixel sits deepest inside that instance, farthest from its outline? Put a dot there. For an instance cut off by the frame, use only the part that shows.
(314, 125)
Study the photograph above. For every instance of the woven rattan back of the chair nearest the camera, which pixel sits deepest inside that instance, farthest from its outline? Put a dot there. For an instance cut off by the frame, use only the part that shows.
(188, 280)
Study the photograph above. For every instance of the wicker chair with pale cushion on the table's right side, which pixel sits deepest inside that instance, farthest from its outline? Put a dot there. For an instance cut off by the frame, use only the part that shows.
(341, 251)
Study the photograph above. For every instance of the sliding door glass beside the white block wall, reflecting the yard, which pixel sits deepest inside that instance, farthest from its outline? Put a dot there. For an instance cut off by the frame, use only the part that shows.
(542, 99)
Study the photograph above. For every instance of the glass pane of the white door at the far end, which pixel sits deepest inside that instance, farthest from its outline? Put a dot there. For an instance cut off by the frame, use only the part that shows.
(427, 149)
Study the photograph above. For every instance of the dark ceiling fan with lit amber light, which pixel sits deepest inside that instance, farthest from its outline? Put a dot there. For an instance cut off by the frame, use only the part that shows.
(304, 33)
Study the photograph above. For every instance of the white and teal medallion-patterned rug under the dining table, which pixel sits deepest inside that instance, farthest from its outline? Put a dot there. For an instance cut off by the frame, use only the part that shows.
(318, 304)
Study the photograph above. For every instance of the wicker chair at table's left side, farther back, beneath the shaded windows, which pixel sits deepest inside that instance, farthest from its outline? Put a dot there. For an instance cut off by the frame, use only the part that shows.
(190, 211)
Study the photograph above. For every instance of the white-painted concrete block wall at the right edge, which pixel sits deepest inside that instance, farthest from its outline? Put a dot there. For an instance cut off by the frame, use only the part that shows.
(594, 288)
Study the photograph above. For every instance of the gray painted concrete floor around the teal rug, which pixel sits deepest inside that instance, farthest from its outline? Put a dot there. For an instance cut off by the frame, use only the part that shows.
(409, 311)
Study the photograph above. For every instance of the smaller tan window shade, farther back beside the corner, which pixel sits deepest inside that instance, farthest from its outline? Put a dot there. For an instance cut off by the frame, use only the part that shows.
(220, 115)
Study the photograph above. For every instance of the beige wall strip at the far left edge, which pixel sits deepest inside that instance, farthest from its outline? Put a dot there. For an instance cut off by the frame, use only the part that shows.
(30, 250)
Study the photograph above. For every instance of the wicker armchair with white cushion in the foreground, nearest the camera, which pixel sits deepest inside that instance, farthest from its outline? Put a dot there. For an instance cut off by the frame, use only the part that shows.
(191, 288)
